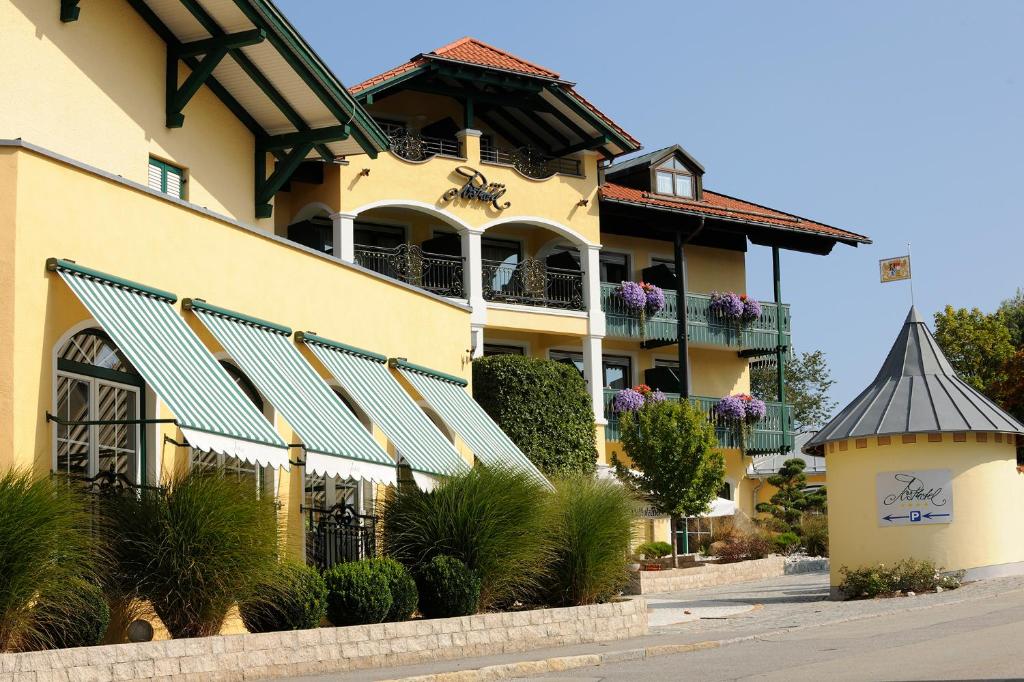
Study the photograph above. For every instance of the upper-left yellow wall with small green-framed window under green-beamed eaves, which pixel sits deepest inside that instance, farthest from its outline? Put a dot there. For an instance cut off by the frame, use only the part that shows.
(94, 91)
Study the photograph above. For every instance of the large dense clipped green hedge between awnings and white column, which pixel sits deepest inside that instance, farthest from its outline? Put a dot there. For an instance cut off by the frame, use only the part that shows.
(544, 407)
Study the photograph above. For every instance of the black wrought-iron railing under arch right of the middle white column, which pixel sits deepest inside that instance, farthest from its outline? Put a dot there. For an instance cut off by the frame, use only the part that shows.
(531, 282)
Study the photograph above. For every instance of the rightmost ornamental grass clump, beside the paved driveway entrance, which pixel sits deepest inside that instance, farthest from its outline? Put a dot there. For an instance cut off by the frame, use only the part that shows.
(590, 524)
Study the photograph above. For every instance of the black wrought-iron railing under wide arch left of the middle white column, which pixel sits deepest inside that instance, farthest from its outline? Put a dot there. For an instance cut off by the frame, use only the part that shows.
(440, 274)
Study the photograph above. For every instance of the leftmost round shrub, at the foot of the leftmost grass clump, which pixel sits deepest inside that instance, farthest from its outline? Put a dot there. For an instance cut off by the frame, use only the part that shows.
(82, 626)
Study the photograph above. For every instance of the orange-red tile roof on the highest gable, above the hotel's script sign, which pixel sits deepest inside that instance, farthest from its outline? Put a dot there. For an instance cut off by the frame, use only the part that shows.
(477, 53)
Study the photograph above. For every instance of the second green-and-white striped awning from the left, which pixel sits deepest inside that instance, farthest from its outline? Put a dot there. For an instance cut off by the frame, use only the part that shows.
(336, 444)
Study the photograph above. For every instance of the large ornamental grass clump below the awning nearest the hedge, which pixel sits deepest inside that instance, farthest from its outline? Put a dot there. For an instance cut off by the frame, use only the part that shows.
(487, 518)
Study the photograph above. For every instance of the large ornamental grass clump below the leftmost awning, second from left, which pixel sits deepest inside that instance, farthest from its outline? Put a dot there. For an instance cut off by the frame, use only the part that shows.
(195, 548)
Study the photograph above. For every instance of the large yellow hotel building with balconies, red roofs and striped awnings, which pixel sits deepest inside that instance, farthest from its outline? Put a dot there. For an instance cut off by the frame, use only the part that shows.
(216, 254)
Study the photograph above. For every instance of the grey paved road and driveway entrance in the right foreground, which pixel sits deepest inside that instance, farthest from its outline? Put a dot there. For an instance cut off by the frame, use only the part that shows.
(976, 632)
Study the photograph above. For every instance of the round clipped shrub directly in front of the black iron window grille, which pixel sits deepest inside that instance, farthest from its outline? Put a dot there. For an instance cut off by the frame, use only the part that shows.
(358, 593)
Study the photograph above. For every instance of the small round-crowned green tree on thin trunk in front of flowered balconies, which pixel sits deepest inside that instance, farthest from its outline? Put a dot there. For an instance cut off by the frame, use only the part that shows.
(675, 464)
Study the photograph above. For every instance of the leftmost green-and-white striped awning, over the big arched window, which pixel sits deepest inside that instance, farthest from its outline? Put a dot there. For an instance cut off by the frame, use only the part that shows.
(210, 410)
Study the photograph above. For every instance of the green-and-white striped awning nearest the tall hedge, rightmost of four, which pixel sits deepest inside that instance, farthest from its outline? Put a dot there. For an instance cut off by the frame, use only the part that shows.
(447, 396)
